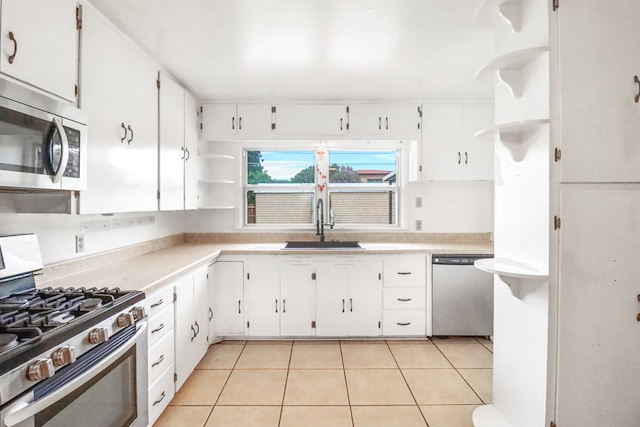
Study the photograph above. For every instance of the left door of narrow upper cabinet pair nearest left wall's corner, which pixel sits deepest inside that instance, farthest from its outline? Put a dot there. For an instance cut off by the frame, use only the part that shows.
(172, 154)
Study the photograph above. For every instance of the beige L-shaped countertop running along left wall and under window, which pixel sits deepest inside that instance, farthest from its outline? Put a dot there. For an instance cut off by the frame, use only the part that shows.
(151, 270)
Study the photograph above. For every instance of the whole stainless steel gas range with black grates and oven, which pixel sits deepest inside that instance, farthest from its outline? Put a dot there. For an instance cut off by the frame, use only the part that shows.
(68, 357)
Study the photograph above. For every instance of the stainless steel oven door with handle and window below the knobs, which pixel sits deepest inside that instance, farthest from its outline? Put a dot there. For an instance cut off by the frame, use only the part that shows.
(111, 392)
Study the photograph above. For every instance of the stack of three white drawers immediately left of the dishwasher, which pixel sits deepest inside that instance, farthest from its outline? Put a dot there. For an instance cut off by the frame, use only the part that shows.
(404, 302)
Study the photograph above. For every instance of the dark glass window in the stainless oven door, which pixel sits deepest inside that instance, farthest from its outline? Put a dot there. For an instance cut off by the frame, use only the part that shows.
(108, 400)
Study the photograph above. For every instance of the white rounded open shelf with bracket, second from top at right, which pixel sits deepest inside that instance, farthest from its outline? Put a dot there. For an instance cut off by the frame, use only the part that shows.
(507, 68)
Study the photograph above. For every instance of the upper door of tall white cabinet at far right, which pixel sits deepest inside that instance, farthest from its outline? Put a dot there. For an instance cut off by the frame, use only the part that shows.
(599, 42)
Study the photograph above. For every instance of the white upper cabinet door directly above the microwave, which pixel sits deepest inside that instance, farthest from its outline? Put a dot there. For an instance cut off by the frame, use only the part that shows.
(39, 44)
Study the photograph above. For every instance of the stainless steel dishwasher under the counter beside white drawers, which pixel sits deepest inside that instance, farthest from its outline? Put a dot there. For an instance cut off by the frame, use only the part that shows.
(462, 297)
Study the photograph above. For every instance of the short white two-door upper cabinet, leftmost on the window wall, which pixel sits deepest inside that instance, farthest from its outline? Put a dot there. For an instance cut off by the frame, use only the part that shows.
(222, 122)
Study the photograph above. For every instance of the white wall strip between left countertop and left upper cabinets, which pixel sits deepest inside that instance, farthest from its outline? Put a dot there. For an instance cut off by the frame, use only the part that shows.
(56, 232)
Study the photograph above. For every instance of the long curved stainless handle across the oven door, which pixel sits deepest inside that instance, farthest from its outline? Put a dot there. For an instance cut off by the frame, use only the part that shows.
(29, 411)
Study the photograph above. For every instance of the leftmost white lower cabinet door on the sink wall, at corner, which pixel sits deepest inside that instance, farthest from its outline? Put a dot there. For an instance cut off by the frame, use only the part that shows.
(228, 310)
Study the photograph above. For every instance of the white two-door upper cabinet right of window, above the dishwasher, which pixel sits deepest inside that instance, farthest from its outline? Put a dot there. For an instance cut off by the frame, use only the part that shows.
(449, 148)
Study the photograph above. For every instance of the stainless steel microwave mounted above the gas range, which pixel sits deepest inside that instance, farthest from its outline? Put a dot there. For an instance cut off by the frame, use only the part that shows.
(43, 141)
